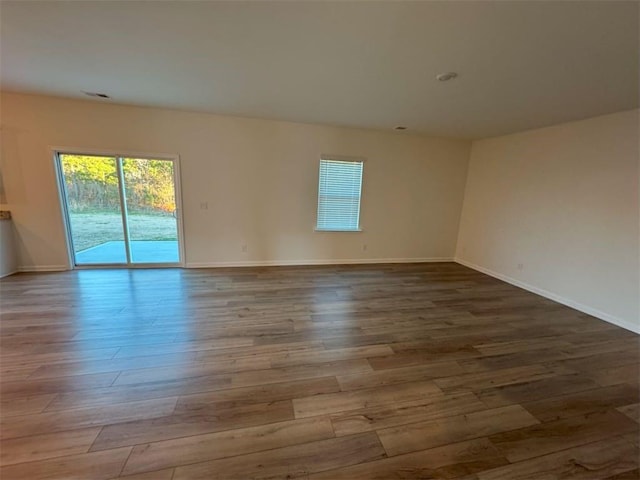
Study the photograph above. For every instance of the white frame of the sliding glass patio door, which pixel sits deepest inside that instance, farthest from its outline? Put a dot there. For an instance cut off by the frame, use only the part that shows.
(118, 155)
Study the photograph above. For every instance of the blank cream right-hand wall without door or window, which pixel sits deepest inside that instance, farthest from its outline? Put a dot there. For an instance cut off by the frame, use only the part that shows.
(562, 202)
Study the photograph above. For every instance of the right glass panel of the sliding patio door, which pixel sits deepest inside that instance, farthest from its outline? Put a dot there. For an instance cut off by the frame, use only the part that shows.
(151, 210)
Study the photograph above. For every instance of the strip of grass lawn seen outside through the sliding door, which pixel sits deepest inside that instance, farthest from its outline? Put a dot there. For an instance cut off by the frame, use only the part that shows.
(95, 228)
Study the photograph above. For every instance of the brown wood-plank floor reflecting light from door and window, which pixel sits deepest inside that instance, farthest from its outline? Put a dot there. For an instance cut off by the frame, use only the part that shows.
(371, 372)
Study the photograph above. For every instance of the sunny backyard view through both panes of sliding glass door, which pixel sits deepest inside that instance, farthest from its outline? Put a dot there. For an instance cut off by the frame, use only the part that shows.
(120, 210)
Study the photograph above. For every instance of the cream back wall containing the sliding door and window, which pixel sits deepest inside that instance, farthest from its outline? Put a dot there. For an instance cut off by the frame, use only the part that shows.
(259, 178)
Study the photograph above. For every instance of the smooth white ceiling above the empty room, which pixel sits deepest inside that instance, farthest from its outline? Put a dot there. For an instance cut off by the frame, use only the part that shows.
(521, 64)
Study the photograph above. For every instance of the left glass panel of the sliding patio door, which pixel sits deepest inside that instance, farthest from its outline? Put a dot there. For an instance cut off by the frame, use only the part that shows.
(94, 209)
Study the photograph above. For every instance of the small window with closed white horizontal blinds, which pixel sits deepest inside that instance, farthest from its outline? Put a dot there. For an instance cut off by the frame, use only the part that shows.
(339, 191)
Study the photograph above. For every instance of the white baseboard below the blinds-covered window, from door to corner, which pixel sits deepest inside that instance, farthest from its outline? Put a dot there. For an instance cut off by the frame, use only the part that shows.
(289, 263)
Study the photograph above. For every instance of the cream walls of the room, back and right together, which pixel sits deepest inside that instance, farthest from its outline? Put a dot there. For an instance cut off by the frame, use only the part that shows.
(562, 201)
